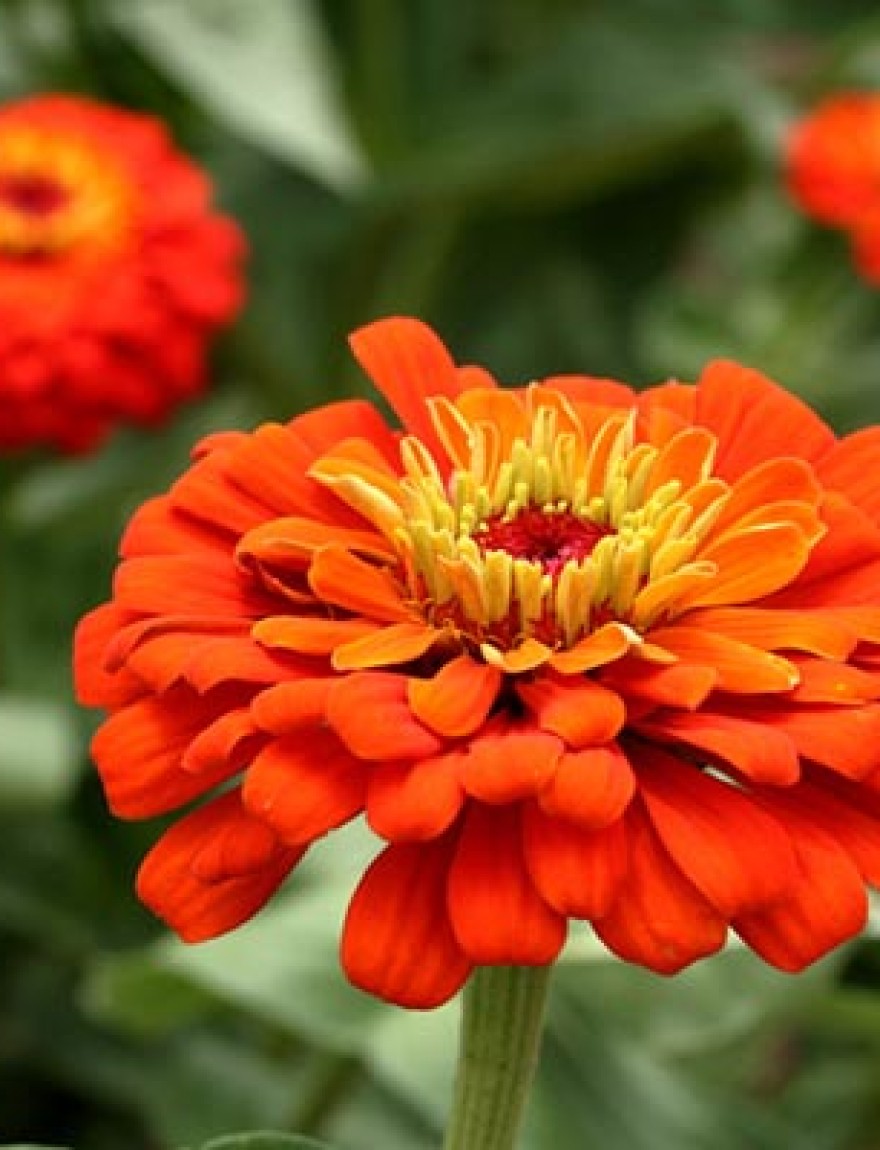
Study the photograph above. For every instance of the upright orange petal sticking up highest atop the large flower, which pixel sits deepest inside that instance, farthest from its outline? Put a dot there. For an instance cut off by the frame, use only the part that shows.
(408, 363)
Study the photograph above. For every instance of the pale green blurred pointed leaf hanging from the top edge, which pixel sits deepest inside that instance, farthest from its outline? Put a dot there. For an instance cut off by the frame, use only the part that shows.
(263, 70)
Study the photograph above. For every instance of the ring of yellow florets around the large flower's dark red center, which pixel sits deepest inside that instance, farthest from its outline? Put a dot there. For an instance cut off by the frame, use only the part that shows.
(652, 523)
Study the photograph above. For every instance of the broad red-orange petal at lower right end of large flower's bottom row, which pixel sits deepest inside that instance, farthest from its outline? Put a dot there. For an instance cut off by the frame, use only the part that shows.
(828, 907)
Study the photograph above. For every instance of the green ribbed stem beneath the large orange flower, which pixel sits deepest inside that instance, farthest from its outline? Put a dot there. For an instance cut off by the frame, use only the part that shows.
(501, 1037)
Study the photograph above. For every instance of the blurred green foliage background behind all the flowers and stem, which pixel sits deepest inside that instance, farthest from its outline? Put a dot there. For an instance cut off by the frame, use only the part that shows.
(557, 186)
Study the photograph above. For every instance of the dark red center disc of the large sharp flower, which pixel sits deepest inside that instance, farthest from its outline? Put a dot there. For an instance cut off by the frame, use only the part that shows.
(550, 539)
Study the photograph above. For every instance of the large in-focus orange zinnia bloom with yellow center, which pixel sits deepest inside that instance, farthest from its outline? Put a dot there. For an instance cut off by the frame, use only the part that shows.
(575, 653)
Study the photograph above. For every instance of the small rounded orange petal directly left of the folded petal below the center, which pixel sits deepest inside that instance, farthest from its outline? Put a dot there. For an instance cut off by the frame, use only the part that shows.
(371, 714)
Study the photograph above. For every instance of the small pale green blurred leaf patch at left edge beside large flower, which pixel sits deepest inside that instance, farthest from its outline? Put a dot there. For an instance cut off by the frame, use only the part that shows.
(39, 760)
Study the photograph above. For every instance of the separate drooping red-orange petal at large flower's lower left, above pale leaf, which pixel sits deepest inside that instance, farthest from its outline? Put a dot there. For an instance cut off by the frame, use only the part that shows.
(198, 909)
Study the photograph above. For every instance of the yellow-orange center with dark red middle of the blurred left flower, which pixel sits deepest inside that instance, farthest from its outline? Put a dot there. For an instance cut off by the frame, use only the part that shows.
(57, 194)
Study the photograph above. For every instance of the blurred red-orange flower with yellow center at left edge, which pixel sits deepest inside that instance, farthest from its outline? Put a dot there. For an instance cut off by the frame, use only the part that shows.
(114, 272)
